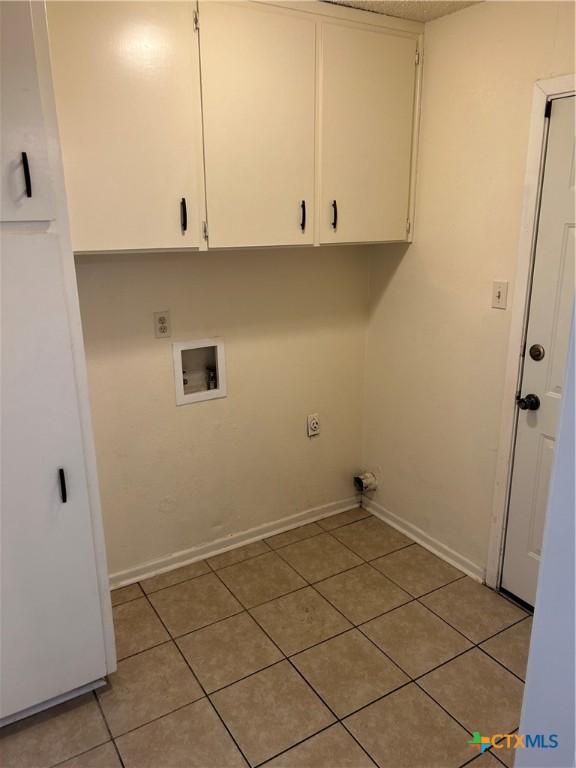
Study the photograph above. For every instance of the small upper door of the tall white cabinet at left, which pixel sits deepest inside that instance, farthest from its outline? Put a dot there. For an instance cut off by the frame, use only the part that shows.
(25, 189)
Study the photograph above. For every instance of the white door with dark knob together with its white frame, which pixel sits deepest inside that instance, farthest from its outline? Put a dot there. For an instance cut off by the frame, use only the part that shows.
(541, 326)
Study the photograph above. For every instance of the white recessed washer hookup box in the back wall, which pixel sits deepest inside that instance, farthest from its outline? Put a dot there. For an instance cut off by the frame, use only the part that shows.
(199, 370)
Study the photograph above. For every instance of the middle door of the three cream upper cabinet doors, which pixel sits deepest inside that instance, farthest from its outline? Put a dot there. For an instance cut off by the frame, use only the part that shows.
(258, 69)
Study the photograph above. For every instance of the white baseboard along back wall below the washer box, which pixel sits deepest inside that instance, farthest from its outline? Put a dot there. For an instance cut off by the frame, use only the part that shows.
(187, 556)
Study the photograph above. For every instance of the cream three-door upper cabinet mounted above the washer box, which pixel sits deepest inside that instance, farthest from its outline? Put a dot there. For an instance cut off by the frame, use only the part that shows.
(274, 124)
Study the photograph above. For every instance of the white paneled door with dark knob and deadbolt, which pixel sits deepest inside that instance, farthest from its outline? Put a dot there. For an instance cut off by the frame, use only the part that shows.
(551, 305)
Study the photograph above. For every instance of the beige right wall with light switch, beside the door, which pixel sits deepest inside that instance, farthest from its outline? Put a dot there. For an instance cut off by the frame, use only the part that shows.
(435, 349)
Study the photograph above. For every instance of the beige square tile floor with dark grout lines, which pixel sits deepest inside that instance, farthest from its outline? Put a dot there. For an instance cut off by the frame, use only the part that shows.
(339, 644)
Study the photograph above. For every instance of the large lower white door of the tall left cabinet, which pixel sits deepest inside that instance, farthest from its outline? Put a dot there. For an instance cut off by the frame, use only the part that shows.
(51, 621)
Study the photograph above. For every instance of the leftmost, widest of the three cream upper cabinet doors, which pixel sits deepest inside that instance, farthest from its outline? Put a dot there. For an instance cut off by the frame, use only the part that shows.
(127, 84)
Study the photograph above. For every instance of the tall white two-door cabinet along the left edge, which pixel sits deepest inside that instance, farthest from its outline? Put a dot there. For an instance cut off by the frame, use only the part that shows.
(55, 616)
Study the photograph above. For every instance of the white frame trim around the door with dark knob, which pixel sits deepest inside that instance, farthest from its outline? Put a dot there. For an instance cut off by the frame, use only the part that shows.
(544, 90)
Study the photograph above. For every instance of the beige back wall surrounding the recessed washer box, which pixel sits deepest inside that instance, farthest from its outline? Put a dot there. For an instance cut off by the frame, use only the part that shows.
(293, 322)
